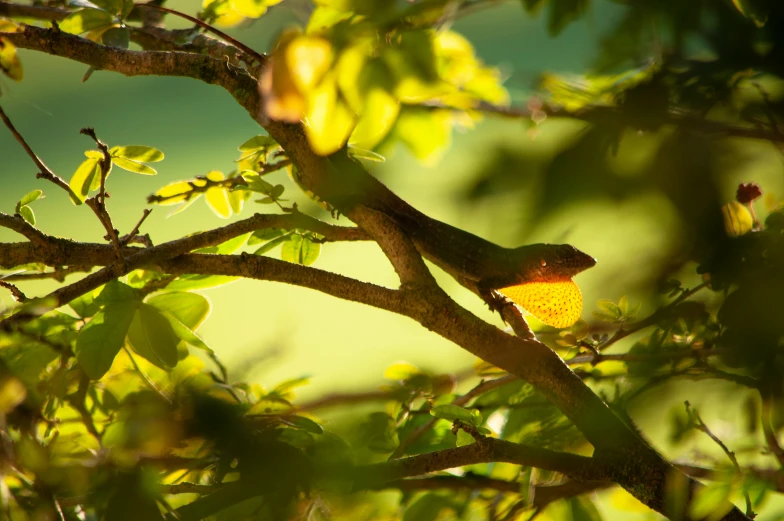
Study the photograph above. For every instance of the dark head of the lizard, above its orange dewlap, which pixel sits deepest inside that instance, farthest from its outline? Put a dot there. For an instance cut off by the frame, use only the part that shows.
(552, 262)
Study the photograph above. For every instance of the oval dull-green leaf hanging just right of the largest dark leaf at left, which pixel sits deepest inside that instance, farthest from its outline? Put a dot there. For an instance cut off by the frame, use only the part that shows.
(152, 337)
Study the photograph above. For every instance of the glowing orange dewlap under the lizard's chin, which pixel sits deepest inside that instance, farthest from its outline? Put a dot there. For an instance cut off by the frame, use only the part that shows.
(557, 304)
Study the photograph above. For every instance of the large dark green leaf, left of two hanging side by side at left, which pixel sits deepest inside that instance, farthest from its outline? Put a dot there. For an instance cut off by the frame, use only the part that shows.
(102, 338)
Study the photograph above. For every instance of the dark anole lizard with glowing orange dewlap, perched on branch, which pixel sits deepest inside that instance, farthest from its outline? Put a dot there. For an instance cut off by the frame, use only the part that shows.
(537, 277)
